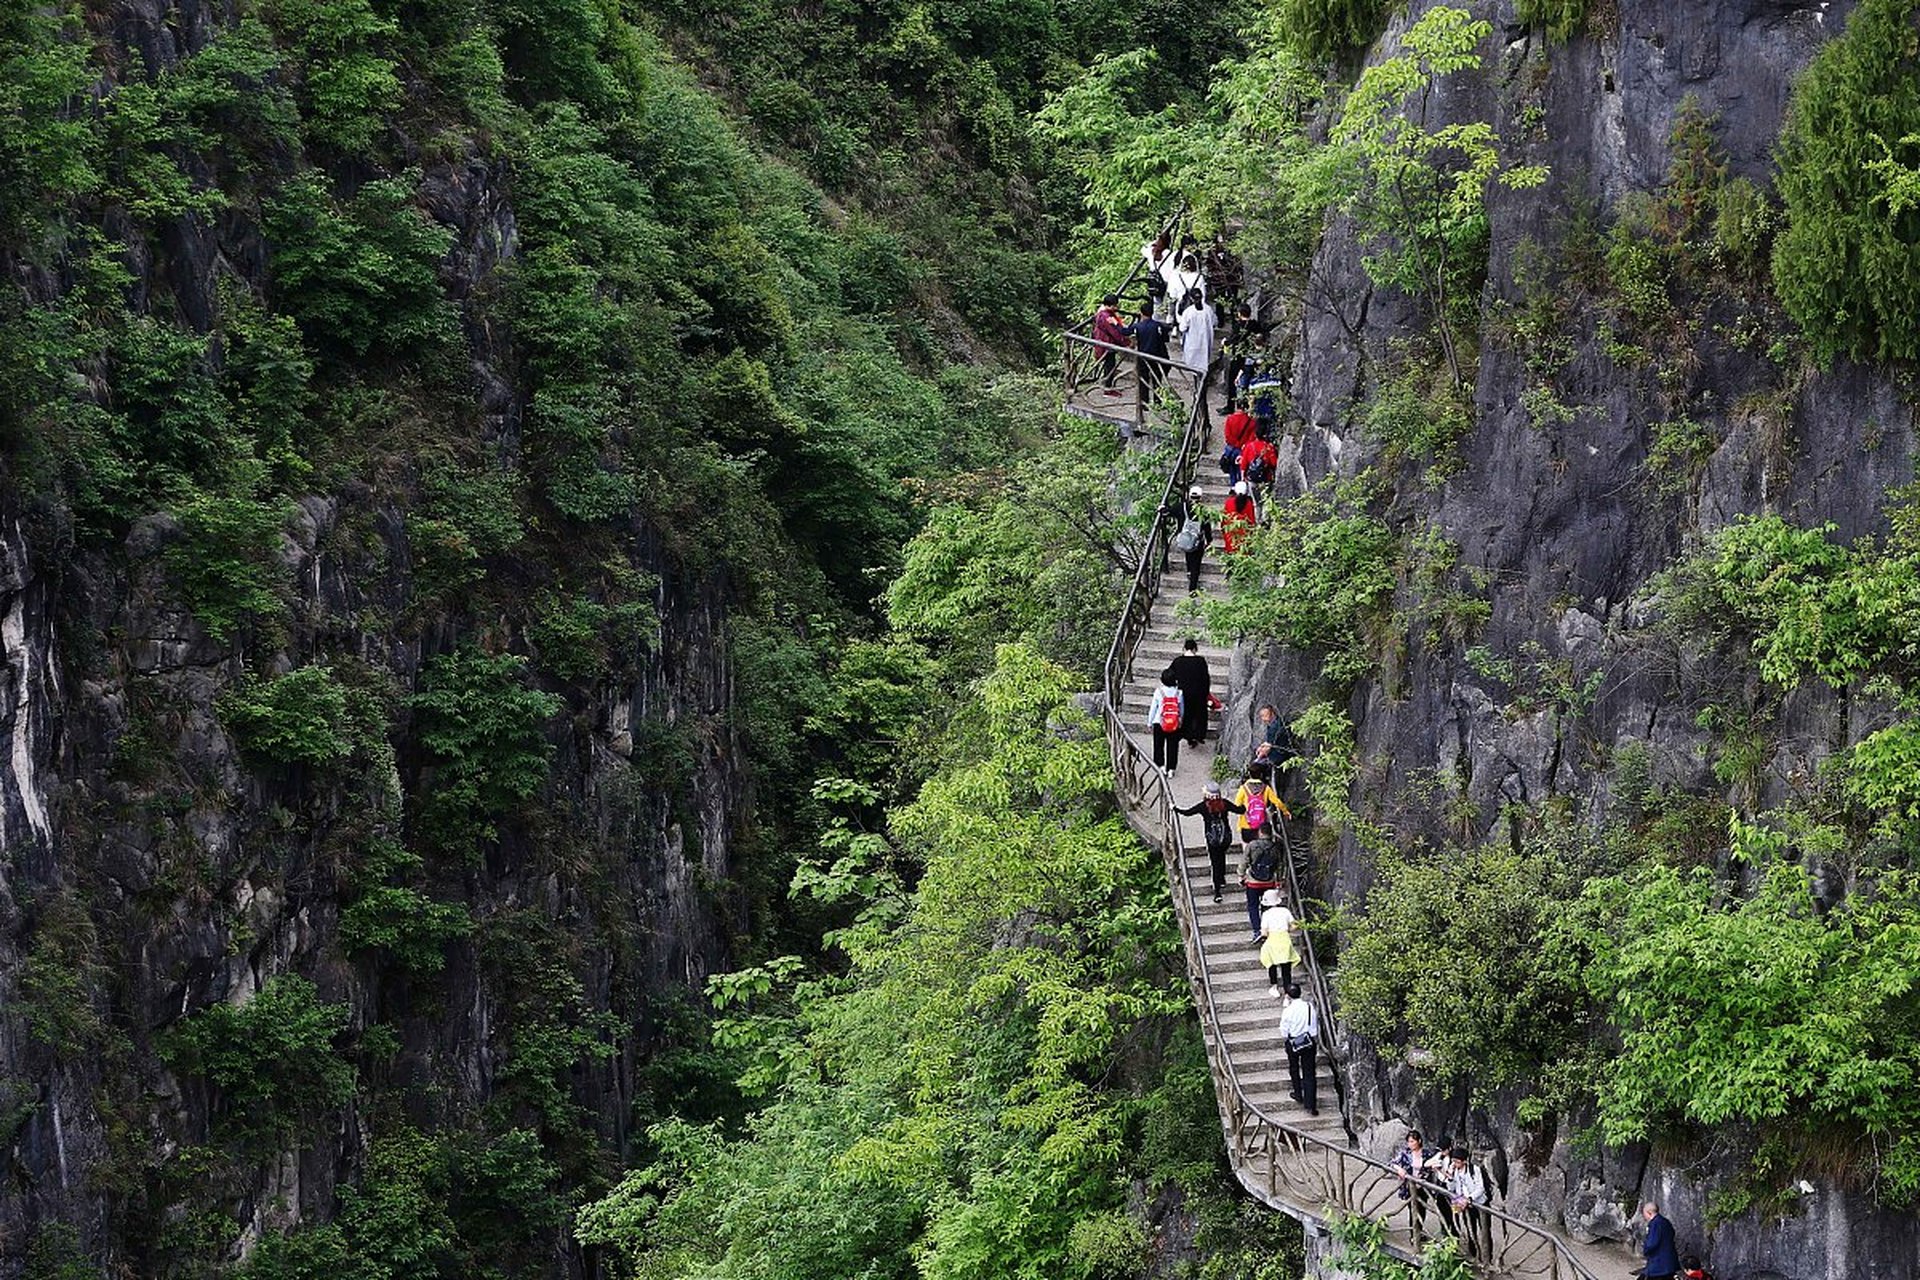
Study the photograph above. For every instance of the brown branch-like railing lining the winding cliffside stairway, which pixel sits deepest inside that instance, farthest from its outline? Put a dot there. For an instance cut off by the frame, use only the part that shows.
(1282, 1166)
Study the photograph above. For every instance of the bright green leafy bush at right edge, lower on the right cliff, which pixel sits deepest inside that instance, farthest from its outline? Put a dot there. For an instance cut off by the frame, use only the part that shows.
(1767, 1012)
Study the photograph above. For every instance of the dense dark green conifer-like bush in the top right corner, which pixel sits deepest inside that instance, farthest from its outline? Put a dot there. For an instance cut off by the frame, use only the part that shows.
(1848, 262)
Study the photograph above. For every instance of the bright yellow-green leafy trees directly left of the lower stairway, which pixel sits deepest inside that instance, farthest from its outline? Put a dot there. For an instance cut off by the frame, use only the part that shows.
(901, 1139)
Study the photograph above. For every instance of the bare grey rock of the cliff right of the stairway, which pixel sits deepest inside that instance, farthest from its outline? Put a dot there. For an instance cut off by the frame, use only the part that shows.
(1568, 519)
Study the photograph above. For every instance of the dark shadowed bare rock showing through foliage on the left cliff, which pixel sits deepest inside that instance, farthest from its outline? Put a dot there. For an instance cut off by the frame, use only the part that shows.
(151, 868)
